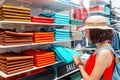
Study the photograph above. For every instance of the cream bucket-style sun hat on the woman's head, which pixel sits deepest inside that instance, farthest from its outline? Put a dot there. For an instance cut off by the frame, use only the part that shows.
(96, 22)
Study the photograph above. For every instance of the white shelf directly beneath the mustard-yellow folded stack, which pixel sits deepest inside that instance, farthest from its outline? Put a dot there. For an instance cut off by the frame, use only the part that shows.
(32, 23)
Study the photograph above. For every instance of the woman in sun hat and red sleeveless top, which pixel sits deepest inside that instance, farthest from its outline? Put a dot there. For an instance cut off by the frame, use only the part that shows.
(100, 65)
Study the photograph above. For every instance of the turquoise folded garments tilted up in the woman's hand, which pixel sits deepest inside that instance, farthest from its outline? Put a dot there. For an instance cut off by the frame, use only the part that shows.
(63, 53)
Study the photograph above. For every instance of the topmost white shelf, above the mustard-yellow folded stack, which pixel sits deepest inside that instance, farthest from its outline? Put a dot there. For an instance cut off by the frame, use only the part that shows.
(55, 5)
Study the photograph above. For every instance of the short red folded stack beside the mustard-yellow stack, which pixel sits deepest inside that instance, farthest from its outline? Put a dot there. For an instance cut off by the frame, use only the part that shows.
(42, 19)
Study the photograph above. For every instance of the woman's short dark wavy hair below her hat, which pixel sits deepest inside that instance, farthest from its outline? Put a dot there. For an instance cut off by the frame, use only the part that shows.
(100, 35)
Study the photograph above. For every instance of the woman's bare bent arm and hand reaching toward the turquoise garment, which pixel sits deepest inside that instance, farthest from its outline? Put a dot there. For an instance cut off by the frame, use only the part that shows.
(102, 62)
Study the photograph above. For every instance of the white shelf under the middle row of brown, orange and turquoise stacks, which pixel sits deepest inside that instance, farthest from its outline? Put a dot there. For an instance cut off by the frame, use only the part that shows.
(12, 46)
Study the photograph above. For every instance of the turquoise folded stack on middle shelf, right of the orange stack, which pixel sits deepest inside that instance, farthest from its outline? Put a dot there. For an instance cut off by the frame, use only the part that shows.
(61, 34)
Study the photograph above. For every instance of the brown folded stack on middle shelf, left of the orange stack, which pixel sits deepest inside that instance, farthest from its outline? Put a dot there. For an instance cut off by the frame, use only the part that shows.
(15, 38)
